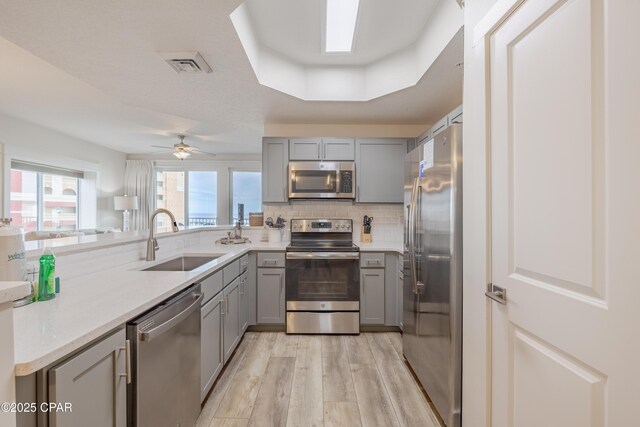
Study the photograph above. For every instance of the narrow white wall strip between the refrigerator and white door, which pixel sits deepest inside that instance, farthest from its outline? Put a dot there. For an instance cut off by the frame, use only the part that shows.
(476, 385)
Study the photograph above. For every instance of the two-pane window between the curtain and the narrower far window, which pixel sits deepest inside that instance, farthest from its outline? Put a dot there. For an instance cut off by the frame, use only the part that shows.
(192, 197)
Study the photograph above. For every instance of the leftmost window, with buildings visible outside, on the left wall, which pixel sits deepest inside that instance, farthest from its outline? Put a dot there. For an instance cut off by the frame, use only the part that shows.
(43, 198)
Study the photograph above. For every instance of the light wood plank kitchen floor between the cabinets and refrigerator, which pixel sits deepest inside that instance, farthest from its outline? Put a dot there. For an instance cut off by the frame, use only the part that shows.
(276, 379)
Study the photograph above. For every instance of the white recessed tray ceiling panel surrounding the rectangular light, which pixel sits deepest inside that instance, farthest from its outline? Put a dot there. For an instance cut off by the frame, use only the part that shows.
(295, 28)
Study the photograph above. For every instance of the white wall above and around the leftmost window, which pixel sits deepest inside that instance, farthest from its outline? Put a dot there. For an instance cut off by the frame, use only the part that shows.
(58, 149)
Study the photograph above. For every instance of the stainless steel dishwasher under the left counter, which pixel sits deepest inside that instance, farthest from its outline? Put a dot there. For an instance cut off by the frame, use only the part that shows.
(165, 346)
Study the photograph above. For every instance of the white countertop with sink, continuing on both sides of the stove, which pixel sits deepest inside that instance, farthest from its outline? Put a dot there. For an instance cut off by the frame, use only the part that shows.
(90, 306)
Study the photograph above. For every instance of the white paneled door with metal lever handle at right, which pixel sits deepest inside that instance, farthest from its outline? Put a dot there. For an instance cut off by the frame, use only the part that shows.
(565, 172)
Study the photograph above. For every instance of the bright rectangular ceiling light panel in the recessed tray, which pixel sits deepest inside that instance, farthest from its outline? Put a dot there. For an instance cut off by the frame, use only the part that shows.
(340, 25)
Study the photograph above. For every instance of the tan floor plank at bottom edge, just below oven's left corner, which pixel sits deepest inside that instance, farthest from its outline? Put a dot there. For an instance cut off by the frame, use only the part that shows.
(272, 403)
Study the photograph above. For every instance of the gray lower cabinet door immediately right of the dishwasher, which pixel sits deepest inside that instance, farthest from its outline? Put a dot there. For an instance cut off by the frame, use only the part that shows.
(210, 344)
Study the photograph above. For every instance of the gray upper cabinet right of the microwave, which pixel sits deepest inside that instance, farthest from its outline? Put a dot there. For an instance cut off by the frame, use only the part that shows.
(380, 170)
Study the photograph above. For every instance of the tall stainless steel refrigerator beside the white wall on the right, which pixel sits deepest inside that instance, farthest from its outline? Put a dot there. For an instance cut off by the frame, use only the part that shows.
(432, 314)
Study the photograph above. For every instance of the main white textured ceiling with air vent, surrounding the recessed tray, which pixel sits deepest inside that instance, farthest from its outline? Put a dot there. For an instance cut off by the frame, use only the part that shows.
(91, 70)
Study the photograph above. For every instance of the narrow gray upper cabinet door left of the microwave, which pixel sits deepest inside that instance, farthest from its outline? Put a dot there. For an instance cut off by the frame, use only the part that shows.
(275, 162)
